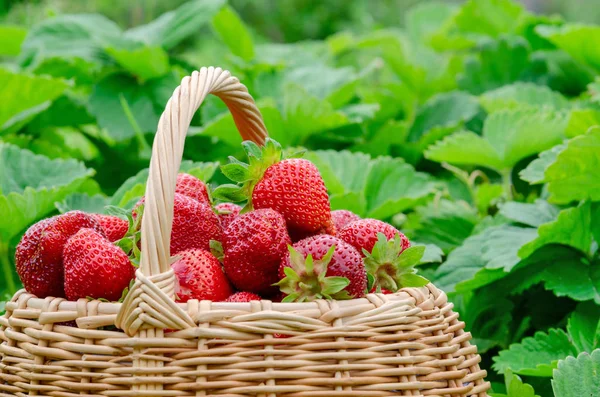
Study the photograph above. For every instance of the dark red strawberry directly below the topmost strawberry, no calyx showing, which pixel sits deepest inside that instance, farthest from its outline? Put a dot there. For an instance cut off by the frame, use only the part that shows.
(254, 244)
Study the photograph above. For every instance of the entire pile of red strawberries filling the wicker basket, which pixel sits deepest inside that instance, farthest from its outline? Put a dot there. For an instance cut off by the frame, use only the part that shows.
(285, 244)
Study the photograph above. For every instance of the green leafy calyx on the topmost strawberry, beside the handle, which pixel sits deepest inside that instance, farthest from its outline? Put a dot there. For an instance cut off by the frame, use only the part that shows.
(247, 175)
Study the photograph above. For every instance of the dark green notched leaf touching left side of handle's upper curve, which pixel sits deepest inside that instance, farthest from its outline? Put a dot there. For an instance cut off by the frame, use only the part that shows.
(144, 101)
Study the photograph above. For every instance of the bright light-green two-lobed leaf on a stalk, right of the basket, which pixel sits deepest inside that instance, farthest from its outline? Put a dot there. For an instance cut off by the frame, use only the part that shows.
(508, 137)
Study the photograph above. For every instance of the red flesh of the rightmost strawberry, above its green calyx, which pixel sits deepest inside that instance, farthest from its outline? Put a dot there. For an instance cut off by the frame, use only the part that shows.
(362, 234)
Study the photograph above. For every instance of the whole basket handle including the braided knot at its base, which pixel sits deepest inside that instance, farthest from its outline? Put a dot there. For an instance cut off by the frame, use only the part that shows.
(150, 304)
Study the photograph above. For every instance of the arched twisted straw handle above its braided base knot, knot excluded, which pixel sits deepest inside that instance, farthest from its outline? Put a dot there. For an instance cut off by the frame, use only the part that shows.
(167, 152)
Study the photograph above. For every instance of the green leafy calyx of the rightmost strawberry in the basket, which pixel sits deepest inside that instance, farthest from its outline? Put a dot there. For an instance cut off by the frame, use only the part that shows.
(391, 268)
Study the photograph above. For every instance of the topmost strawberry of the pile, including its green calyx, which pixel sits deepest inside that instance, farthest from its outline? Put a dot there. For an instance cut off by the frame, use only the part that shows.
(293, 187)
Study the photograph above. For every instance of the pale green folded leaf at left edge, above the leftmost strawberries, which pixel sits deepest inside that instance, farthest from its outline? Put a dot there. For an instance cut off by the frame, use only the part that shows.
(31, 184)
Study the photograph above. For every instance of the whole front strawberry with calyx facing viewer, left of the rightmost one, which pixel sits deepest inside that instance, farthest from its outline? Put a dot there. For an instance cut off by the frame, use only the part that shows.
(322, 267)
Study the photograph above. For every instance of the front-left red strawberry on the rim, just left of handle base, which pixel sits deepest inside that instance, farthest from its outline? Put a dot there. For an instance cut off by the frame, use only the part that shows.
(95, 267)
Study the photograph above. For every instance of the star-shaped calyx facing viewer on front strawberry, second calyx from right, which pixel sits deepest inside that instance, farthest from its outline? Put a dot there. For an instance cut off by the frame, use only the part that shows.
(306, 279)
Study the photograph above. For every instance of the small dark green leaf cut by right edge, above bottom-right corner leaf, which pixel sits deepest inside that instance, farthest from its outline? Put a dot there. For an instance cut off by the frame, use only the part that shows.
(584, 327)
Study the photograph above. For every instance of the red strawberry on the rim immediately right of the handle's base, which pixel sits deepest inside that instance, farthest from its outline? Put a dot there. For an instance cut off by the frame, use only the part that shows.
(200, 276)
